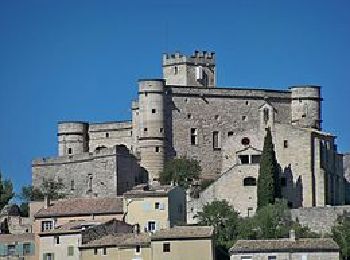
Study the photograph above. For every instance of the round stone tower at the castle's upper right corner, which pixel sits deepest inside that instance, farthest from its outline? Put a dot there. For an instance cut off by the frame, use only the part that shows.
(306, 106)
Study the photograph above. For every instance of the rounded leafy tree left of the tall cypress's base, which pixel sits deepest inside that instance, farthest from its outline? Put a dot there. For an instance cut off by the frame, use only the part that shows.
(224, 219)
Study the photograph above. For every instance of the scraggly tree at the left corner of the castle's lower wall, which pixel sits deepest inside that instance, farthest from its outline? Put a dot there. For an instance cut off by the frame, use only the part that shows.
(30, 193)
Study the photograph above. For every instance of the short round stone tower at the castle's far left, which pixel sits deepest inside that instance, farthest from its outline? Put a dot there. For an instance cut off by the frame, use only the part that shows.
(72, 137)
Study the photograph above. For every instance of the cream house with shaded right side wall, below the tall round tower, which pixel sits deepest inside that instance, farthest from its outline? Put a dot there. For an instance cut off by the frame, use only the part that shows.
(155, 207)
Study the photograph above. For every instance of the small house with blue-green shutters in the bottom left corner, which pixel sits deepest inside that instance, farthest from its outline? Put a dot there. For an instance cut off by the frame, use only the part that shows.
(17, 246)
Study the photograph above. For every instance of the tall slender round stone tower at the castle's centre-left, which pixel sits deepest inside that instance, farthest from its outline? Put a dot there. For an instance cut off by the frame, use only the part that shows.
(151, 122)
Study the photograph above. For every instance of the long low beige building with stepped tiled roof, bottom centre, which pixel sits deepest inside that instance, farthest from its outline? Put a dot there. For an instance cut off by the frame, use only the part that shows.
(178, 243)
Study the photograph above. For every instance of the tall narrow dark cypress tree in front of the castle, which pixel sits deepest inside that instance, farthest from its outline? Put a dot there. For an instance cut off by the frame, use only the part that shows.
(268, 187)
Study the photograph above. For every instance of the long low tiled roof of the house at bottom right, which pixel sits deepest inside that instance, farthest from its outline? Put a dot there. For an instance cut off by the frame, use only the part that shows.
(299, 245)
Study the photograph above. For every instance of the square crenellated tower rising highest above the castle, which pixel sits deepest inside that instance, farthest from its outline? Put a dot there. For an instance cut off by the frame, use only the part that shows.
(197, 70)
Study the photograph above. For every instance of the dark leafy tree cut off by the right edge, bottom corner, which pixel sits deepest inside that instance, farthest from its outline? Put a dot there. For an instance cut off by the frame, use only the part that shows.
(341, 235)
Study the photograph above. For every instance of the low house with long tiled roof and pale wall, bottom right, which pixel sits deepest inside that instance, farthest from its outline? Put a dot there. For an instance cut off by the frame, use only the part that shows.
(285, 249)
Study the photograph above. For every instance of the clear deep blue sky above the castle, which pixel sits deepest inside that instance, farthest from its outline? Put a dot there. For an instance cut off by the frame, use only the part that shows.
(80, 60)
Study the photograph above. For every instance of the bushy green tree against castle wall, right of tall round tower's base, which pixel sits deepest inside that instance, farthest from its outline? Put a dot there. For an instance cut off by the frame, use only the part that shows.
(181, 171)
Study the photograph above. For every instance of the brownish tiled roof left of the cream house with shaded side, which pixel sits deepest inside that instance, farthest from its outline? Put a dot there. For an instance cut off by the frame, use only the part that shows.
(82, 207)
